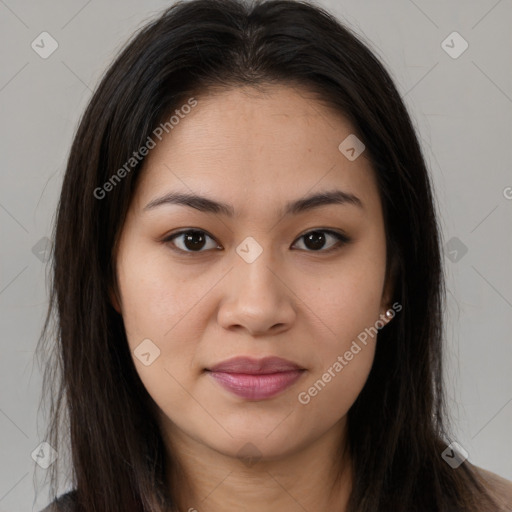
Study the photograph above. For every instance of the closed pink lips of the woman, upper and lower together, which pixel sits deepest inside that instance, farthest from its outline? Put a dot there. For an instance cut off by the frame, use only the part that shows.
(256, 379)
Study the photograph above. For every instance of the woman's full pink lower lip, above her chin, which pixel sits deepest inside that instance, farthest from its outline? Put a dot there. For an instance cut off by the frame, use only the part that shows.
(256, 386)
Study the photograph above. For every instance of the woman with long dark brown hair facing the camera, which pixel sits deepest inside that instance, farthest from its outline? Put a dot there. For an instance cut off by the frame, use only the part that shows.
(248, 280)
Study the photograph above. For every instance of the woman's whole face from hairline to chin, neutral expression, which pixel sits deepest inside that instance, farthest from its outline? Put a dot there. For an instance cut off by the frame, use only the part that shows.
(199, 284)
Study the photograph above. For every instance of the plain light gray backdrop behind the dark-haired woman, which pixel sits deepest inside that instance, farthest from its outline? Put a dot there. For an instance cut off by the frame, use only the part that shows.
(462, 108)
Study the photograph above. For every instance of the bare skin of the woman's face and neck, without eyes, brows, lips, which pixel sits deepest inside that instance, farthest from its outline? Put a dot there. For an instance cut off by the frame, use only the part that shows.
(256, 151)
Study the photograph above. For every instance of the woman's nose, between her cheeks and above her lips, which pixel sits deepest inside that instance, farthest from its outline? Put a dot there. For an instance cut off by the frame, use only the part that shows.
(257, 299)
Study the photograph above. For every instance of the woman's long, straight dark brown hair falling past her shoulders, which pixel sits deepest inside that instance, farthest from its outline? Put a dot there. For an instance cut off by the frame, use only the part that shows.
(397, 426)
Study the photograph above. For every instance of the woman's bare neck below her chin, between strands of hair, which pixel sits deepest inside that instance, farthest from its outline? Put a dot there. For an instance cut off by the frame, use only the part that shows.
(316, 477)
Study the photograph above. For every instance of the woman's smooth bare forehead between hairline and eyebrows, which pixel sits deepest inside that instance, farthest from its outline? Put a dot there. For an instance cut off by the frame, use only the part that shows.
(260, 146)
